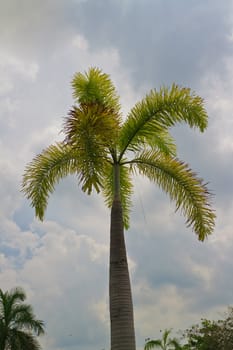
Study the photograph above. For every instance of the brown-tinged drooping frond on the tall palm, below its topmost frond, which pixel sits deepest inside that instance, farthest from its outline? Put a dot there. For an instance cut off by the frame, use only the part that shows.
(92, 133)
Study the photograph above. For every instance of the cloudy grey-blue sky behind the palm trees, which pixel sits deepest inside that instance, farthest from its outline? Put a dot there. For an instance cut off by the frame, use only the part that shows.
(62, 263)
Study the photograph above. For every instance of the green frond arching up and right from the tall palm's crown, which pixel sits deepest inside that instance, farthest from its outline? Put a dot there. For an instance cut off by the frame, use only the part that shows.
(160, 110)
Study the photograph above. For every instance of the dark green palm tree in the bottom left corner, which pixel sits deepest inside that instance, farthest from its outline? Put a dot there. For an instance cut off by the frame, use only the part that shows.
(18, 325)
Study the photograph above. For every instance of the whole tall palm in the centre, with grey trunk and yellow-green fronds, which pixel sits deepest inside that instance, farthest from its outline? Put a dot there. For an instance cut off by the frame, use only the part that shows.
(104, 152)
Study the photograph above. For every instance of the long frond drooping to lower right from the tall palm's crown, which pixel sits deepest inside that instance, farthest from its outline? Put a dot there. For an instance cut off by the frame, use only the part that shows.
(184, 187)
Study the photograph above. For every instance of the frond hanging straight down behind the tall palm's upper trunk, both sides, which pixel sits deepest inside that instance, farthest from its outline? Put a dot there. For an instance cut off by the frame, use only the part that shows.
(125, 190)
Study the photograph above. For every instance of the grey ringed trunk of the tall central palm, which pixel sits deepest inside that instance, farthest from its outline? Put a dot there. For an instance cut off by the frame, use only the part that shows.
(121, 306)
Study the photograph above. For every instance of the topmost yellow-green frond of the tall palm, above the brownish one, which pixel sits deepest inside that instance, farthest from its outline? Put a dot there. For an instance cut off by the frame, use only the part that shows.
(96, 87)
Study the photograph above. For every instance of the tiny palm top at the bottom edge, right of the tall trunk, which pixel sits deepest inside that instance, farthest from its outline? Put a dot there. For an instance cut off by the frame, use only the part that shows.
(165, 343)
